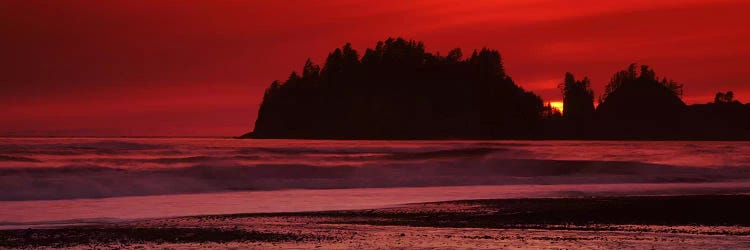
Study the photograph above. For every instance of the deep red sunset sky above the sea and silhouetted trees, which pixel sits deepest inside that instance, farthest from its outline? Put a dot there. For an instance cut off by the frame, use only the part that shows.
(199, 68)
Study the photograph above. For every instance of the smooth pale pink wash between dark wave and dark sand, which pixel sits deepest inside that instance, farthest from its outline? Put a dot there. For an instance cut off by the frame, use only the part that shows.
(22, 214)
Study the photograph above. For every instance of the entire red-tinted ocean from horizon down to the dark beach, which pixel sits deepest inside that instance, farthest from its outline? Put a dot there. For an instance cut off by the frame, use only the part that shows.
(62, 181)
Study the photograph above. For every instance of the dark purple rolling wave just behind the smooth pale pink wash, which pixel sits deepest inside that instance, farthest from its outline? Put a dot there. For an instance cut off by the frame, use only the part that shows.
(90, 181)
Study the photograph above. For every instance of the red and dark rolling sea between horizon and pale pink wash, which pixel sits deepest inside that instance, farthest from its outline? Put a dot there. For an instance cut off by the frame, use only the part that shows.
(53, 169)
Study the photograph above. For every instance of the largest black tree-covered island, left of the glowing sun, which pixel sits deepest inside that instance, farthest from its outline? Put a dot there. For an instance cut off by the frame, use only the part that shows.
(399, 91)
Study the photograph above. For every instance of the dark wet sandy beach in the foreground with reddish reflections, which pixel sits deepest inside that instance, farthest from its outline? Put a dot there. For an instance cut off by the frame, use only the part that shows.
(640, 221)
